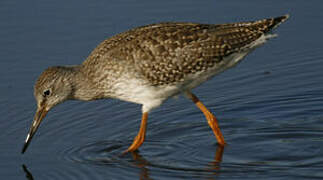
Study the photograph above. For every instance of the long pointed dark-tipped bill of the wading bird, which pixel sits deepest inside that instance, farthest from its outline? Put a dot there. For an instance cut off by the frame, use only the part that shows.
(39, 116)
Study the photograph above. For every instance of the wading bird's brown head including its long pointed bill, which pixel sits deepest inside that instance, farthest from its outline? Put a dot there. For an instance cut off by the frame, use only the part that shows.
(52, 88)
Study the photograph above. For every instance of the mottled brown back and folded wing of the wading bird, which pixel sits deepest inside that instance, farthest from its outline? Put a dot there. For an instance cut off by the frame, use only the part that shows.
(167, 52)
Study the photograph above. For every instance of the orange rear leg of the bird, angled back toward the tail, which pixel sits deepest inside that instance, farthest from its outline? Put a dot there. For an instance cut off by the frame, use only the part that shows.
(213, 123)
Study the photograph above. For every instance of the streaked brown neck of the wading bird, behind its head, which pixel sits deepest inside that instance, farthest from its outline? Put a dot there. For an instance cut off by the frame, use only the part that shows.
(82, 87)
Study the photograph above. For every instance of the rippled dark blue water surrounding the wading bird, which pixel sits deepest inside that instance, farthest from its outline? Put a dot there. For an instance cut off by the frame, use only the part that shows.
(269, 106)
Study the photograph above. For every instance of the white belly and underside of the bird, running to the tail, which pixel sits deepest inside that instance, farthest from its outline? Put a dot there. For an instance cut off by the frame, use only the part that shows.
(139, 91)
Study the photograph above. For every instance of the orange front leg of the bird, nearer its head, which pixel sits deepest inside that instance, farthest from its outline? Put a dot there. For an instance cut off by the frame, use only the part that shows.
(137, 142)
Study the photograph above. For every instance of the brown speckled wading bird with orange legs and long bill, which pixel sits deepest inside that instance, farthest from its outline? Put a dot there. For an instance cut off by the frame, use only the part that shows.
(149, 64)
